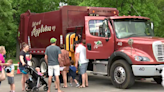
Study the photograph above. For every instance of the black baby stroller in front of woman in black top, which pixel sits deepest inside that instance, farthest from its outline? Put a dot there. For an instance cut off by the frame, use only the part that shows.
(35, 82)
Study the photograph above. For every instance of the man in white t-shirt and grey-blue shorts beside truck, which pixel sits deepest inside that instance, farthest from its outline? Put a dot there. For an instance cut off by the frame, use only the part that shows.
(80, 55)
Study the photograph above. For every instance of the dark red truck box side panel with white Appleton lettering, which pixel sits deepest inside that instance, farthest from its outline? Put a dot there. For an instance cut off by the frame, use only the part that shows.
(42, 27)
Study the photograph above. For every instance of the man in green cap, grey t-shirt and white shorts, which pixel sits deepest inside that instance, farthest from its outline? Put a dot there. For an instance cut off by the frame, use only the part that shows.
(52, 54)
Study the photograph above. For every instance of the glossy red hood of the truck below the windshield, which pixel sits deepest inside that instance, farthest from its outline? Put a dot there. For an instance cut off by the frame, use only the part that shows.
(142, 45)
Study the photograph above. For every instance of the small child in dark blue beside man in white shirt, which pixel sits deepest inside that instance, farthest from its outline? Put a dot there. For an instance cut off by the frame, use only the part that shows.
(72, 73)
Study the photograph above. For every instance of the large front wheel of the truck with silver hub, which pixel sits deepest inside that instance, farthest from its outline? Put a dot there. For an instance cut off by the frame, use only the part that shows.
(121, 74)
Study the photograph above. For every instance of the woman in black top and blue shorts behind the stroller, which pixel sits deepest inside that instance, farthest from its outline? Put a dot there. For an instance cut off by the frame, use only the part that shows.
(23, 63)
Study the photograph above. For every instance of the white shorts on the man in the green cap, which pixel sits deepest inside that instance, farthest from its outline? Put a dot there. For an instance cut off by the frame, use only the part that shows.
(54, 70)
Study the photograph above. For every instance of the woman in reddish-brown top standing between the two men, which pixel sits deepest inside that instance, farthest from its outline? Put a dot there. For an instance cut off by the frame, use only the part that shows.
(64, 62)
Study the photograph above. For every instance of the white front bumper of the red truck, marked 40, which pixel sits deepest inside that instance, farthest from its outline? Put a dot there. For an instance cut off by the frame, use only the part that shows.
(147, 70)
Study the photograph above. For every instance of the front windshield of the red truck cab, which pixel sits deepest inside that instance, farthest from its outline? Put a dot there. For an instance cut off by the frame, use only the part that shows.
(132, 28)
